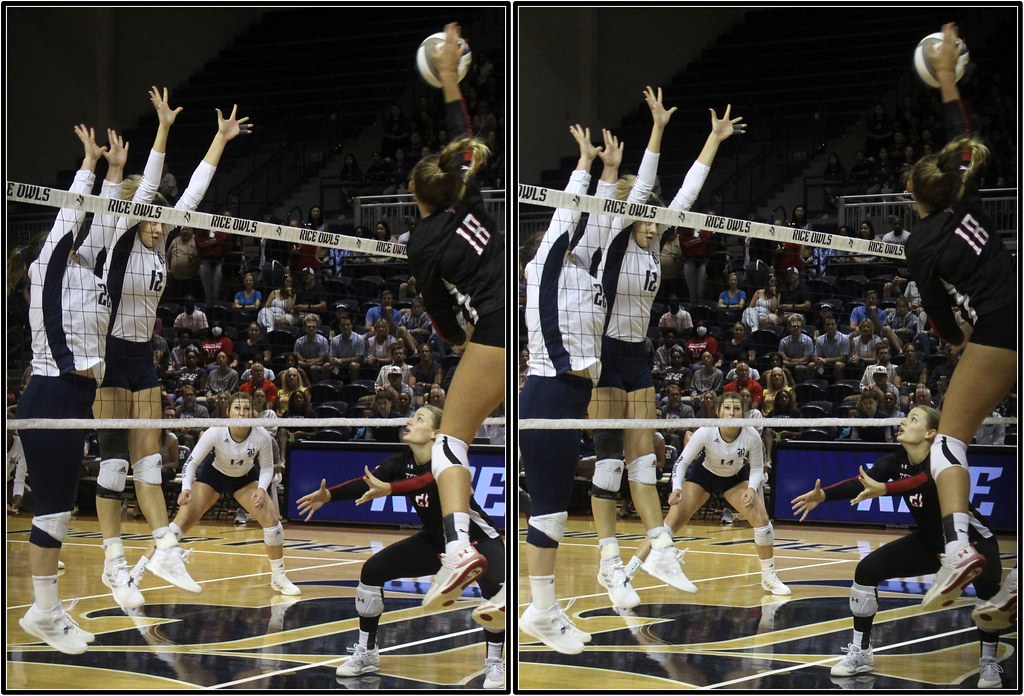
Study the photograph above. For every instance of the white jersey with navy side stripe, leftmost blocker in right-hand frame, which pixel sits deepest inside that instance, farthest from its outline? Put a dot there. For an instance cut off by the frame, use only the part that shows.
(565, 303)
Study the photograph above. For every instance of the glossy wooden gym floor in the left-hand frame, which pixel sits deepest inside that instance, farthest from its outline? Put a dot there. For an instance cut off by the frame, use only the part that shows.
(238, 633)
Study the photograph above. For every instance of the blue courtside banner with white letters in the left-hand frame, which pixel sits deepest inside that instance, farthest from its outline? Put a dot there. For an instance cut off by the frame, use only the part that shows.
(339, 462)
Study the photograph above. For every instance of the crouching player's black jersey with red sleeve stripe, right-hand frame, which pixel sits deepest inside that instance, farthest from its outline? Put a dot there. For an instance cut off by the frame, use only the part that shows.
(922, 499)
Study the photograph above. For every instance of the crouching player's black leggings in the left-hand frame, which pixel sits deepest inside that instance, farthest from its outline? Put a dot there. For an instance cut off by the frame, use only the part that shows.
(418, 555)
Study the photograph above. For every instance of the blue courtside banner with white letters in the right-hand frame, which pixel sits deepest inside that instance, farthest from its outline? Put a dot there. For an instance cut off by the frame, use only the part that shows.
(994, 484)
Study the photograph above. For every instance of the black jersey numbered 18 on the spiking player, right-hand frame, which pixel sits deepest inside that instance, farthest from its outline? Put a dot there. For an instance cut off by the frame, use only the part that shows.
(959, 260)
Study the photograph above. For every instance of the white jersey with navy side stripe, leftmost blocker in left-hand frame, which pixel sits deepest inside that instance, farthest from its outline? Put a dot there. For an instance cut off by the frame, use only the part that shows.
(69, 308)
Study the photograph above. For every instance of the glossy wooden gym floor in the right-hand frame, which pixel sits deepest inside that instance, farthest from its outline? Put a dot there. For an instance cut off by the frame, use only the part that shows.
(733, 635)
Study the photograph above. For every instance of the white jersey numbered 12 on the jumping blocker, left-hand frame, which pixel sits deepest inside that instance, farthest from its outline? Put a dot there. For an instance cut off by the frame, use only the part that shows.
(138, 276)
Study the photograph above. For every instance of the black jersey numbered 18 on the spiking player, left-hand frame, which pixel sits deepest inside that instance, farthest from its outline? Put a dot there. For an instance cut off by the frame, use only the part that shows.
(458, 255)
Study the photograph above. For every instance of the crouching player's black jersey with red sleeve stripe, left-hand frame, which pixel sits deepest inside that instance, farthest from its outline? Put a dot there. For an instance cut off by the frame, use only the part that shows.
(425, 498)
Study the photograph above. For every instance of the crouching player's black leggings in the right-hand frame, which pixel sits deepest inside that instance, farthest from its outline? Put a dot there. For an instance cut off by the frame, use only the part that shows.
(914, 555)
